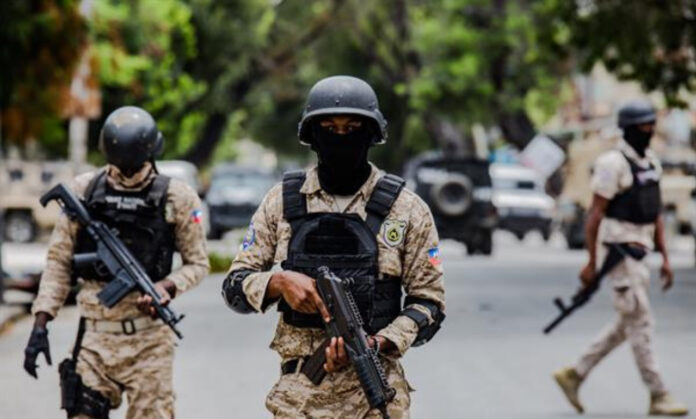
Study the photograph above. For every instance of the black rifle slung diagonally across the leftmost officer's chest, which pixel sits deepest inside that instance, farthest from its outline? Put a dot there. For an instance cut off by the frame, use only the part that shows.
(111, 255)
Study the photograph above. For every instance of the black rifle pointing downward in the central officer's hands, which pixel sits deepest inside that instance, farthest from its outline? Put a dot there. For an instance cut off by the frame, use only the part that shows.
(347, 323)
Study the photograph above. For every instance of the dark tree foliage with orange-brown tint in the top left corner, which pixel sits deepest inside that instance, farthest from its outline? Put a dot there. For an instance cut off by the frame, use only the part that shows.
(42, 42)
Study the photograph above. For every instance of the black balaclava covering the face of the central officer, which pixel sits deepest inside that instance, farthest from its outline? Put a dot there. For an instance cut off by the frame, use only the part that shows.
(343, 166)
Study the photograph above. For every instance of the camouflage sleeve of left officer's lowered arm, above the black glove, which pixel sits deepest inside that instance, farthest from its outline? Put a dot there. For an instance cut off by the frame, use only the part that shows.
(56, 277)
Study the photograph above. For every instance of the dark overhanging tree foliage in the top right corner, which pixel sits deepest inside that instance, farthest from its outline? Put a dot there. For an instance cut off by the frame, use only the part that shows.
(651, 41)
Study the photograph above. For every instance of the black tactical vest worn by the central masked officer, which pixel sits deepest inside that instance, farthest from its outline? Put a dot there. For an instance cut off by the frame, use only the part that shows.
(348, 246)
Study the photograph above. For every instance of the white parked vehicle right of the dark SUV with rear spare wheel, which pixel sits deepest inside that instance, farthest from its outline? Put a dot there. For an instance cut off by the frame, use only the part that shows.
(522, 203)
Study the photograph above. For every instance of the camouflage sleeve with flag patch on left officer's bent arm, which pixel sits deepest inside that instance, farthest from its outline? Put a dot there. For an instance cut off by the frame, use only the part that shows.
(189, 234)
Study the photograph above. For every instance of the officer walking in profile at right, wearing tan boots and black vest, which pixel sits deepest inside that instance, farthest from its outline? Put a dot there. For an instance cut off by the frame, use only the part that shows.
(626, 209)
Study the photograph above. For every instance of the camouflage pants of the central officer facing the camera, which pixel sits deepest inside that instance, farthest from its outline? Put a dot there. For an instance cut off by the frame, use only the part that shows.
(338, 396)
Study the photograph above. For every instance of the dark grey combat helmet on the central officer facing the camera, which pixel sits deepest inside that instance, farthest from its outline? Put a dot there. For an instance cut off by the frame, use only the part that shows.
(342, 95)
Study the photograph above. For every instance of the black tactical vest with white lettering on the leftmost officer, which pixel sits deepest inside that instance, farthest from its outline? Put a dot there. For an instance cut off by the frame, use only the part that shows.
(140, 220)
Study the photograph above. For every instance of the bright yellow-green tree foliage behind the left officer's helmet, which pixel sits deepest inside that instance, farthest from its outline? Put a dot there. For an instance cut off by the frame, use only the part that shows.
(142, 49)
